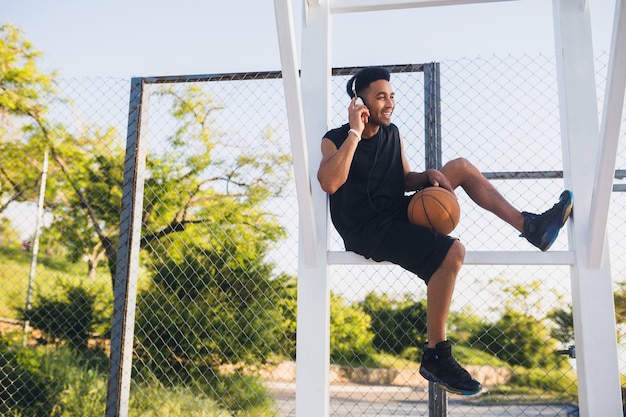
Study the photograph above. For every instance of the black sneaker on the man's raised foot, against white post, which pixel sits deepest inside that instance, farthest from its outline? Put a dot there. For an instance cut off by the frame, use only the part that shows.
(542, 229)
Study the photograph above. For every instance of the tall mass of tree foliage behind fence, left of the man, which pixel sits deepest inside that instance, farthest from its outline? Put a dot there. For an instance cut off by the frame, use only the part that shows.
(214, 297)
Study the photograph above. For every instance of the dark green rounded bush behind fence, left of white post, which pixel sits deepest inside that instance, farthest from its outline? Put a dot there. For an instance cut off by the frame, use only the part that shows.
(212, 305)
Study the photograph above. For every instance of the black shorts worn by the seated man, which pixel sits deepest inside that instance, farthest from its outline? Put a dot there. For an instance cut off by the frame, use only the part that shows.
(414, 248)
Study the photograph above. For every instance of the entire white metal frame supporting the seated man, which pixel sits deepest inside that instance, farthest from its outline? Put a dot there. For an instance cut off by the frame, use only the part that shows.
(592, 153)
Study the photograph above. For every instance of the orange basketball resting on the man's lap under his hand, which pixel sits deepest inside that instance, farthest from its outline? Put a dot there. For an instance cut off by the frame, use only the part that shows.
(435, 208)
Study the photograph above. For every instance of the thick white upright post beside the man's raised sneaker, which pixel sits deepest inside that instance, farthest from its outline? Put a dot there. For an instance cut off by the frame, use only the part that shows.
(597, 363)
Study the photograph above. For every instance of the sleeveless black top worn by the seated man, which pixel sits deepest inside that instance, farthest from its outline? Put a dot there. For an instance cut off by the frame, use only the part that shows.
(373, 194)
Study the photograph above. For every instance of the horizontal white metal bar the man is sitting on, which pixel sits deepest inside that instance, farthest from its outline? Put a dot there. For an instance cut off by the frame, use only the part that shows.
(472, 258)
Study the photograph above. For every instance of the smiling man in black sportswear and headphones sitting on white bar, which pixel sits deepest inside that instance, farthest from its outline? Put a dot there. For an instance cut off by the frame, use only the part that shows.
(366, 173)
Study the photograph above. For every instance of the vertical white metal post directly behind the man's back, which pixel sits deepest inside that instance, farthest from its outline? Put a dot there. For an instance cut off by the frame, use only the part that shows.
(313, 327)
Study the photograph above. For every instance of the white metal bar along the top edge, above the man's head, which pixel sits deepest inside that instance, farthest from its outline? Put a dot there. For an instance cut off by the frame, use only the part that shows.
(352, 6)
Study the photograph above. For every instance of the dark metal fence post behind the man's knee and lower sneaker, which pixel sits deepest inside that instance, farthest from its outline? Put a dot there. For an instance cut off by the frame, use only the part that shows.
(437, 398)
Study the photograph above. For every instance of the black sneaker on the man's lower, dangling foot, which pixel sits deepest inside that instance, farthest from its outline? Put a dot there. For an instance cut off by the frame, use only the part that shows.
(439, 366)
